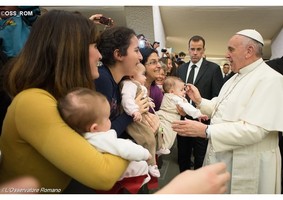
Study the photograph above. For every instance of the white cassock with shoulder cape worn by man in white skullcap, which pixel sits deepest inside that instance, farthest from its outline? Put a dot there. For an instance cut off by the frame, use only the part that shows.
(245, 120)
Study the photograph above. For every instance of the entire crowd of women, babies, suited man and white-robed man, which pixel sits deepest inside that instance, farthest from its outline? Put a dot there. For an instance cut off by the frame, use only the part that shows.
(83, 101)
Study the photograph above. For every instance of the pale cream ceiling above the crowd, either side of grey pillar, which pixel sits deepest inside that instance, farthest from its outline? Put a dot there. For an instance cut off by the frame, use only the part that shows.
(216, 24)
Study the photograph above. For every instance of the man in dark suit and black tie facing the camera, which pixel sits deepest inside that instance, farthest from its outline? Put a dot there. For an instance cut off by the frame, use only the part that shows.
(207, 77)
